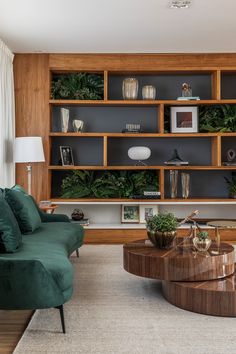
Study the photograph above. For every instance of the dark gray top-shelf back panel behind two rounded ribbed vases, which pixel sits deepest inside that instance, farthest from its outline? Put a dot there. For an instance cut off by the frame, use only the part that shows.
(168, 87)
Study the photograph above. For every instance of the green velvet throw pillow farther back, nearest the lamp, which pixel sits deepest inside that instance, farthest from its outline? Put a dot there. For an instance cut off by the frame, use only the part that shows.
(24, 210)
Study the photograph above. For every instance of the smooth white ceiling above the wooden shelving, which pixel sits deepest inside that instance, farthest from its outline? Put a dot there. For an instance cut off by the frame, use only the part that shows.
(125, 26)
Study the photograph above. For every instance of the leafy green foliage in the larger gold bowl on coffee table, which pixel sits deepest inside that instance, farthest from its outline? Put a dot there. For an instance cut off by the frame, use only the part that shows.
(162, 223)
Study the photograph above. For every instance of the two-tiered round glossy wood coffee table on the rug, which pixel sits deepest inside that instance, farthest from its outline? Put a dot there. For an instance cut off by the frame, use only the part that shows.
(203, 283)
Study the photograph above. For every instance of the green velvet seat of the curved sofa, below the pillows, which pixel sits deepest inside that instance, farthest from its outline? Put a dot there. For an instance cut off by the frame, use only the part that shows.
(51, 244)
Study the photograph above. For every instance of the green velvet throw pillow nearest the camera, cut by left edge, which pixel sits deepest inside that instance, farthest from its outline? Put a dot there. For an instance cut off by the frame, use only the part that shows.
(10, 235)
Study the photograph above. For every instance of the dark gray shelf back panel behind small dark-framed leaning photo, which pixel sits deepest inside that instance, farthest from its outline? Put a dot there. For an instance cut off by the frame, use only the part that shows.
(86, 151)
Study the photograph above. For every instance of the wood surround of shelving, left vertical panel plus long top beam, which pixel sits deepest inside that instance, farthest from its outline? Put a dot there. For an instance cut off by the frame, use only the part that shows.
(32, 73)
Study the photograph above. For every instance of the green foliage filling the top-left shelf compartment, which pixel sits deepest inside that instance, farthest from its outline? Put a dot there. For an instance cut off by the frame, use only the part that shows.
(77, 86)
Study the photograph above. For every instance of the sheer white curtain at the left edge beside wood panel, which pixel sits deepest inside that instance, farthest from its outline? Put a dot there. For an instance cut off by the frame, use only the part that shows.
(7, 117)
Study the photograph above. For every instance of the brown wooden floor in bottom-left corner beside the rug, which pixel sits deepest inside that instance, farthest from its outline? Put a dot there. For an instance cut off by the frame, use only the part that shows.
(12, 326)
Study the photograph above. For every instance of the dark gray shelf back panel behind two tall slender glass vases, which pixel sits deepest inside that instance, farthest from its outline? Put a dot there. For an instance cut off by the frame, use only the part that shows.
(203, 184)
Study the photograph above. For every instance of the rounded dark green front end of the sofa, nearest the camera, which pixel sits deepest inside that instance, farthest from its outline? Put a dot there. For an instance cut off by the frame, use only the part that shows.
(27, 284)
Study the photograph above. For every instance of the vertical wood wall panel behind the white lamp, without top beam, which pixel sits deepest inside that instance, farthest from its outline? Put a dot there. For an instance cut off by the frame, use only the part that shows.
(31, 74)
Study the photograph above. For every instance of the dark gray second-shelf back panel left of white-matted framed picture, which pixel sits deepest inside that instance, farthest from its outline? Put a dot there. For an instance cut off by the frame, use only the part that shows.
(109, 119)
